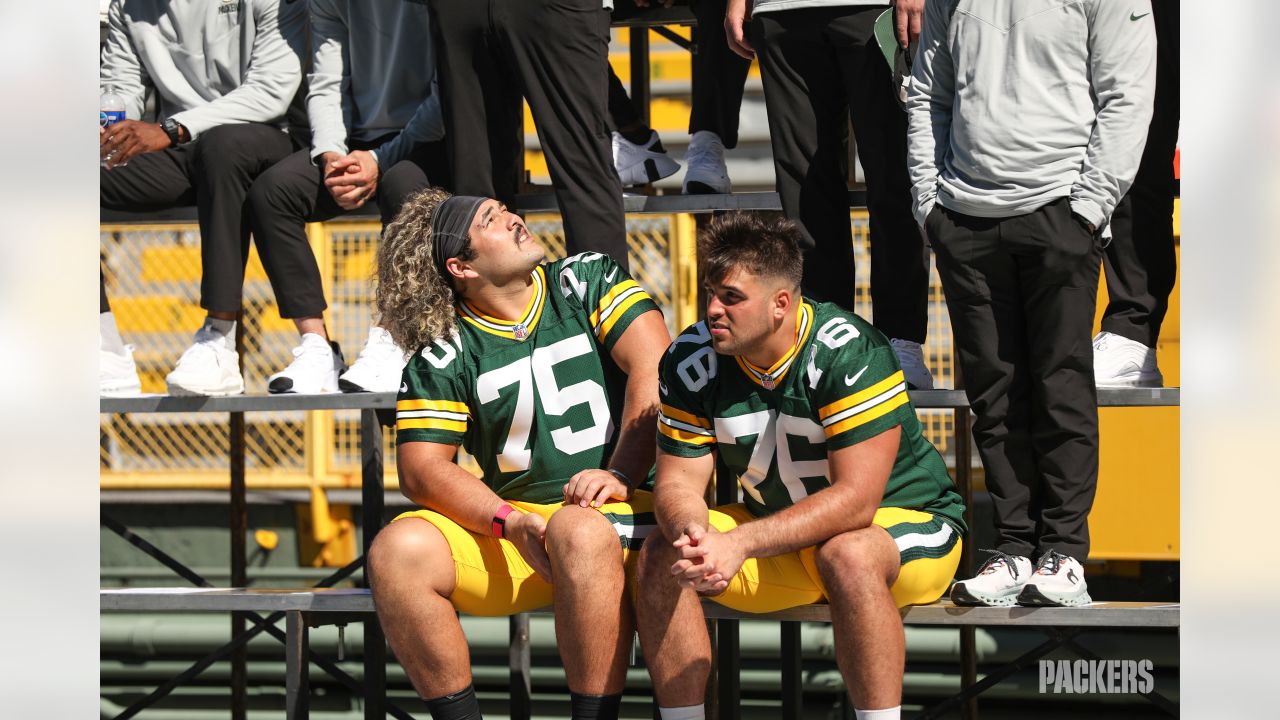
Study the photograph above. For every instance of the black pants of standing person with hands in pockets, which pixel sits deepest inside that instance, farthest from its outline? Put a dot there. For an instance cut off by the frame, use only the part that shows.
(1022, 294)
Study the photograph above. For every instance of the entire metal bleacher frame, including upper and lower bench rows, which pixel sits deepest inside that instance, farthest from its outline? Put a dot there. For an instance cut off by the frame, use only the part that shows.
(305, 608)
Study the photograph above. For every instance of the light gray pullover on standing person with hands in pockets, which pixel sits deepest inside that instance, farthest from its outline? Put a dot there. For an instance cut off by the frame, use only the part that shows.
(1017, 103)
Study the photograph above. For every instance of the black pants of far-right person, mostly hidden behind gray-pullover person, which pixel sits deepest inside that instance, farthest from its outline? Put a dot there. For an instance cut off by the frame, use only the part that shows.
(1141, 262)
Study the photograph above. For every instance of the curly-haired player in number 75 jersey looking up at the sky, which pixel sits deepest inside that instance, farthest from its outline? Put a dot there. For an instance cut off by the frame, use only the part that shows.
(548, 376)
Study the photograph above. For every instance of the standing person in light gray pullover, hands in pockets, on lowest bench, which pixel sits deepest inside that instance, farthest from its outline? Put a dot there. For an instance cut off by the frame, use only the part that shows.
(1016, 192)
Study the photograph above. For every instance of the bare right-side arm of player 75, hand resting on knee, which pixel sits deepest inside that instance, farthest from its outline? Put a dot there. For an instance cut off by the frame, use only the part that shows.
(637, 354)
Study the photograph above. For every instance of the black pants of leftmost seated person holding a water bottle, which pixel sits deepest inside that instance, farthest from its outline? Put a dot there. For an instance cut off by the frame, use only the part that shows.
(214, 172)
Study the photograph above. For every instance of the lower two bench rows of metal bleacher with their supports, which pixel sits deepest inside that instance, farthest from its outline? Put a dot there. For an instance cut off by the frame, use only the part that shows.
(304, 608)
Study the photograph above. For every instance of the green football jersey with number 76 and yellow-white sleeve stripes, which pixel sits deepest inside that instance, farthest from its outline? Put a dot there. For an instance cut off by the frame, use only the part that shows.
(772, 429)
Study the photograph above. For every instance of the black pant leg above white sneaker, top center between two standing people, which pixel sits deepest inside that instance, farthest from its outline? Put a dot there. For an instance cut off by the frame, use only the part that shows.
(719, 74)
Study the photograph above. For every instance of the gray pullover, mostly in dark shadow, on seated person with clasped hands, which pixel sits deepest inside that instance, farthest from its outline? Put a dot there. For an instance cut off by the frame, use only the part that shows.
(373, 74)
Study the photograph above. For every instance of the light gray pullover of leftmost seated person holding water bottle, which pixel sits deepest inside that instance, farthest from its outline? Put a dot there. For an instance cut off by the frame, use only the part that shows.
(212, 62)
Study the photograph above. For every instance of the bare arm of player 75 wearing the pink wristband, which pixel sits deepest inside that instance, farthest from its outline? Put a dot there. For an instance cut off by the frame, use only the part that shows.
(431, 479)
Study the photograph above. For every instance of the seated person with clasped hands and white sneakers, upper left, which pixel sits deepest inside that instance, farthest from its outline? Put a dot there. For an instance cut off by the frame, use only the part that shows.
(376, 134)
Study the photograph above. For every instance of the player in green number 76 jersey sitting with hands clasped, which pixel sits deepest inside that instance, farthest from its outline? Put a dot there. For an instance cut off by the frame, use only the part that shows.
(804, 405)
